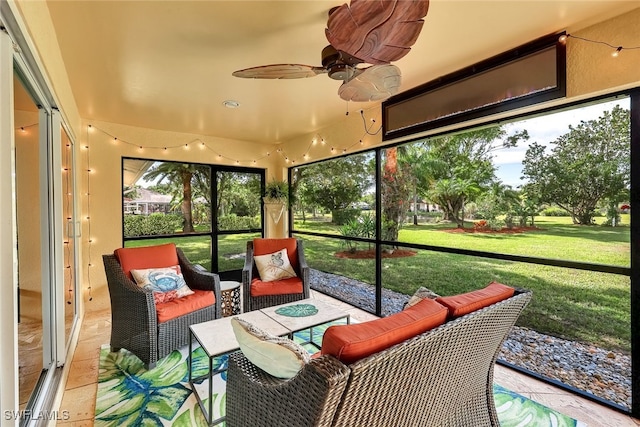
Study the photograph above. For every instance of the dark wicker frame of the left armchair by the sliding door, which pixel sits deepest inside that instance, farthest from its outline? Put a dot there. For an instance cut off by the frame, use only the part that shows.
(134, 321)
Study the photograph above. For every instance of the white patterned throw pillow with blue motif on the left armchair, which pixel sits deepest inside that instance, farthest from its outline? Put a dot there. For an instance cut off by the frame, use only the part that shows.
(166, 283)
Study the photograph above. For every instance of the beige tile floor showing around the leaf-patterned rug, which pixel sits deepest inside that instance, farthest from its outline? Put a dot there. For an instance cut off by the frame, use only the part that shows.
(80, 391)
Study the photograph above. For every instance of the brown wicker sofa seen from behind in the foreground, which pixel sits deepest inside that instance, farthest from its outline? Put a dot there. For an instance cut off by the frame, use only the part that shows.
(443, 377)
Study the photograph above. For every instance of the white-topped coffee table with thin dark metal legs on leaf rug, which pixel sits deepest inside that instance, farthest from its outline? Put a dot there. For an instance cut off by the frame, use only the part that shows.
(216, 338)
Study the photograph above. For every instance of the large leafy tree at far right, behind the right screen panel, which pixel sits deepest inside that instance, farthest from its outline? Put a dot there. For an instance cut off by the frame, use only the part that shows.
(587, 165)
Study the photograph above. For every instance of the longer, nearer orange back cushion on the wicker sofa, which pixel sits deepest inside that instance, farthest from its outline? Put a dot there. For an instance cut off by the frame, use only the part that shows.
(350, 343)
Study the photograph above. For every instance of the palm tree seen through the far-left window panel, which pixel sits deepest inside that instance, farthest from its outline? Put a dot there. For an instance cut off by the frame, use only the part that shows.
(181, 174)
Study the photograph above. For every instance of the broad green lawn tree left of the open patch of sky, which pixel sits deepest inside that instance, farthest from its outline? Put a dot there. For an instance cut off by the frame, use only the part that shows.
(458, 168)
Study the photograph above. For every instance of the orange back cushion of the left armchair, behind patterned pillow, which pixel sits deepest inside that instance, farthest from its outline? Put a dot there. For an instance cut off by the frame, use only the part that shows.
(145, 257)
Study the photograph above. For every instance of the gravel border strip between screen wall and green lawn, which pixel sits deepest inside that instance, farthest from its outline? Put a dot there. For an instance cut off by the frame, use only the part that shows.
(597, 371)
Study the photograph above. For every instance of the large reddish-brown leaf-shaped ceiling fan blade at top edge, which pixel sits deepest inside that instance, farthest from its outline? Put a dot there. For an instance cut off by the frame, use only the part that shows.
(377, 32)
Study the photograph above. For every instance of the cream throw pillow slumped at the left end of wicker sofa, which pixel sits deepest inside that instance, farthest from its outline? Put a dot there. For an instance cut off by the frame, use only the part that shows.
(277, 356)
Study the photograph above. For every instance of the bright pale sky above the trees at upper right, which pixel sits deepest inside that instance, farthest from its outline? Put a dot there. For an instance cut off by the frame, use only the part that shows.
(543, 130)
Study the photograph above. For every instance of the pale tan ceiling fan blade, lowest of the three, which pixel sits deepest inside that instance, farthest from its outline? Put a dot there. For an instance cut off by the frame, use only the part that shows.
(373, 84)
